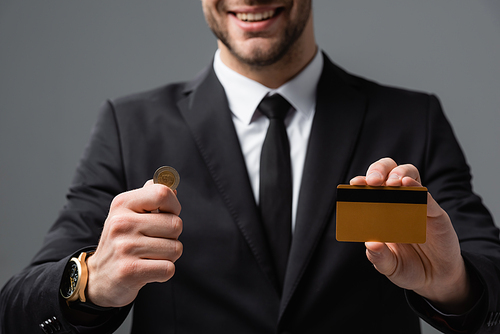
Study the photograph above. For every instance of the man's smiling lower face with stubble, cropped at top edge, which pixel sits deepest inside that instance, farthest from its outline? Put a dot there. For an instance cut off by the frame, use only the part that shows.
(259, 33)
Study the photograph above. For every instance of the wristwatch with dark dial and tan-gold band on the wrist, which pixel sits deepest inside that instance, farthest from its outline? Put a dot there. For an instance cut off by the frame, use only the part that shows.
(74, 280)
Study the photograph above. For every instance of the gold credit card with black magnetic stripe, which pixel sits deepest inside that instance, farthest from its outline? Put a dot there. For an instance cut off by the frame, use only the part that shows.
(385, 214)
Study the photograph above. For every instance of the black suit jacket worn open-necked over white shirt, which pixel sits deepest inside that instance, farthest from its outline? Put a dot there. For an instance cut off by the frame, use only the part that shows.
(224, 281)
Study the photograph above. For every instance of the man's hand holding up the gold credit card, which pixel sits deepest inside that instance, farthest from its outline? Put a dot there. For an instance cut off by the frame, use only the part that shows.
(434, 270)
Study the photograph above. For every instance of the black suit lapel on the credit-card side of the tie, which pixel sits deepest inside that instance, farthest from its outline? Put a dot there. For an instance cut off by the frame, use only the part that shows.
(340, 110)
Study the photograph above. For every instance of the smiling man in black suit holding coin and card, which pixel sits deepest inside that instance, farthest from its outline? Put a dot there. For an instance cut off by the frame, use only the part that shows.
(212, 129)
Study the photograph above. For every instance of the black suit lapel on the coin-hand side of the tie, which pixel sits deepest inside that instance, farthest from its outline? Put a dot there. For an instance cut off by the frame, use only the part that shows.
(207, 114)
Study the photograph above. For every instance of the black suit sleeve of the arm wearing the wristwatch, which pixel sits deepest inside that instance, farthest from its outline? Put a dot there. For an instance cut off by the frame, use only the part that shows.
(31, 299)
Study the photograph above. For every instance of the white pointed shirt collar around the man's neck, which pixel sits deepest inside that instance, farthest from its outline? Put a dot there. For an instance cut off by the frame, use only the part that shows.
(244, 94)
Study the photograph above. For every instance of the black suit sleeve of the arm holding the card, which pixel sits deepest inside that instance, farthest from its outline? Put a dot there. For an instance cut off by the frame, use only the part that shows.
(448, 178)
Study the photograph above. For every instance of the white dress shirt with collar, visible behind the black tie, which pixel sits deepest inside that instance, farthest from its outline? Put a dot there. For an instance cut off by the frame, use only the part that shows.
(244, 95)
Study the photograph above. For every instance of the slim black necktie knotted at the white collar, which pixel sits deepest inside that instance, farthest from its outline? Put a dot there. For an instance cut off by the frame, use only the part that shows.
(275, 194)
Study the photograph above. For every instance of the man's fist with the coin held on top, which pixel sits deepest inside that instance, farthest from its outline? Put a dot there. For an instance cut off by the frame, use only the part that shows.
(136, 246)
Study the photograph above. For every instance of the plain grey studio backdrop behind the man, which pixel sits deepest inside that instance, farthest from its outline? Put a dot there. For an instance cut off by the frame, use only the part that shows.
(59, 60)
